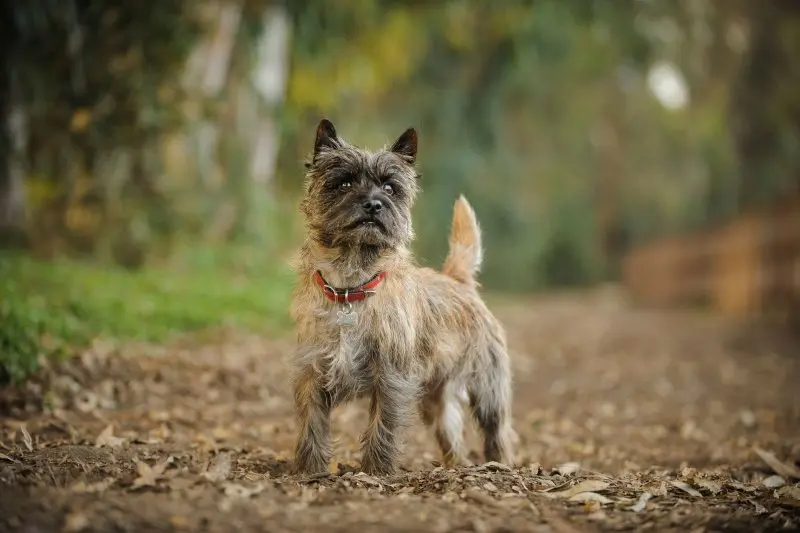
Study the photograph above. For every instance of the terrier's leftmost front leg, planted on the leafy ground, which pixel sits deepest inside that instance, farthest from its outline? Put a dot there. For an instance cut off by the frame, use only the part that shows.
(313, 406)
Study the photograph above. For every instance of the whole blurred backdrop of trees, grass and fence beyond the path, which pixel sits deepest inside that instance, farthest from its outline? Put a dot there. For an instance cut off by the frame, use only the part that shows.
(151, 159)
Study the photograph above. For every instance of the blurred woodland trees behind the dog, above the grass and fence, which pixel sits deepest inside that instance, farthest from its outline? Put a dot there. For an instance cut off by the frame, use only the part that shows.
(151, 123)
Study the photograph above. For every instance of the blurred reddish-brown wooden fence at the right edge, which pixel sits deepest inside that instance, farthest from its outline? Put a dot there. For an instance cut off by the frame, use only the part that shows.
(748, 266)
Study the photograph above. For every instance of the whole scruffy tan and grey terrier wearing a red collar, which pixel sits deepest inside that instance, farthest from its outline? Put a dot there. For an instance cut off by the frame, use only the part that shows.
(371, 323)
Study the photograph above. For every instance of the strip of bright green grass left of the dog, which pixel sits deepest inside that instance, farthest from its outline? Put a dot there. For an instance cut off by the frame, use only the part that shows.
(53, 307)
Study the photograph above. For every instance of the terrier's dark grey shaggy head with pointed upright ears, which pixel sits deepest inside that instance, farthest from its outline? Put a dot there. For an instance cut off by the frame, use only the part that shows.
(356, 198)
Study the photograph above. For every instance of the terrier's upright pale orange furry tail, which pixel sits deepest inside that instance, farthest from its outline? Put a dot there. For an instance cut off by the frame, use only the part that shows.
(464, 259)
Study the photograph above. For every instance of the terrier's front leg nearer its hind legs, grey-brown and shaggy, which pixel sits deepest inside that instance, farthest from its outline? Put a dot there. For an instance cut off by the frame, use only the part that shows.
(392, 397)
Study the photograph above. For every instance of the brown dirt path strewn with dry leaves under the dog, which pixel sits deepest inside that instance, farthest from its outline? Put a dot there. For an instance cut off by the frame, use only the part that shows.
(196, 437)
